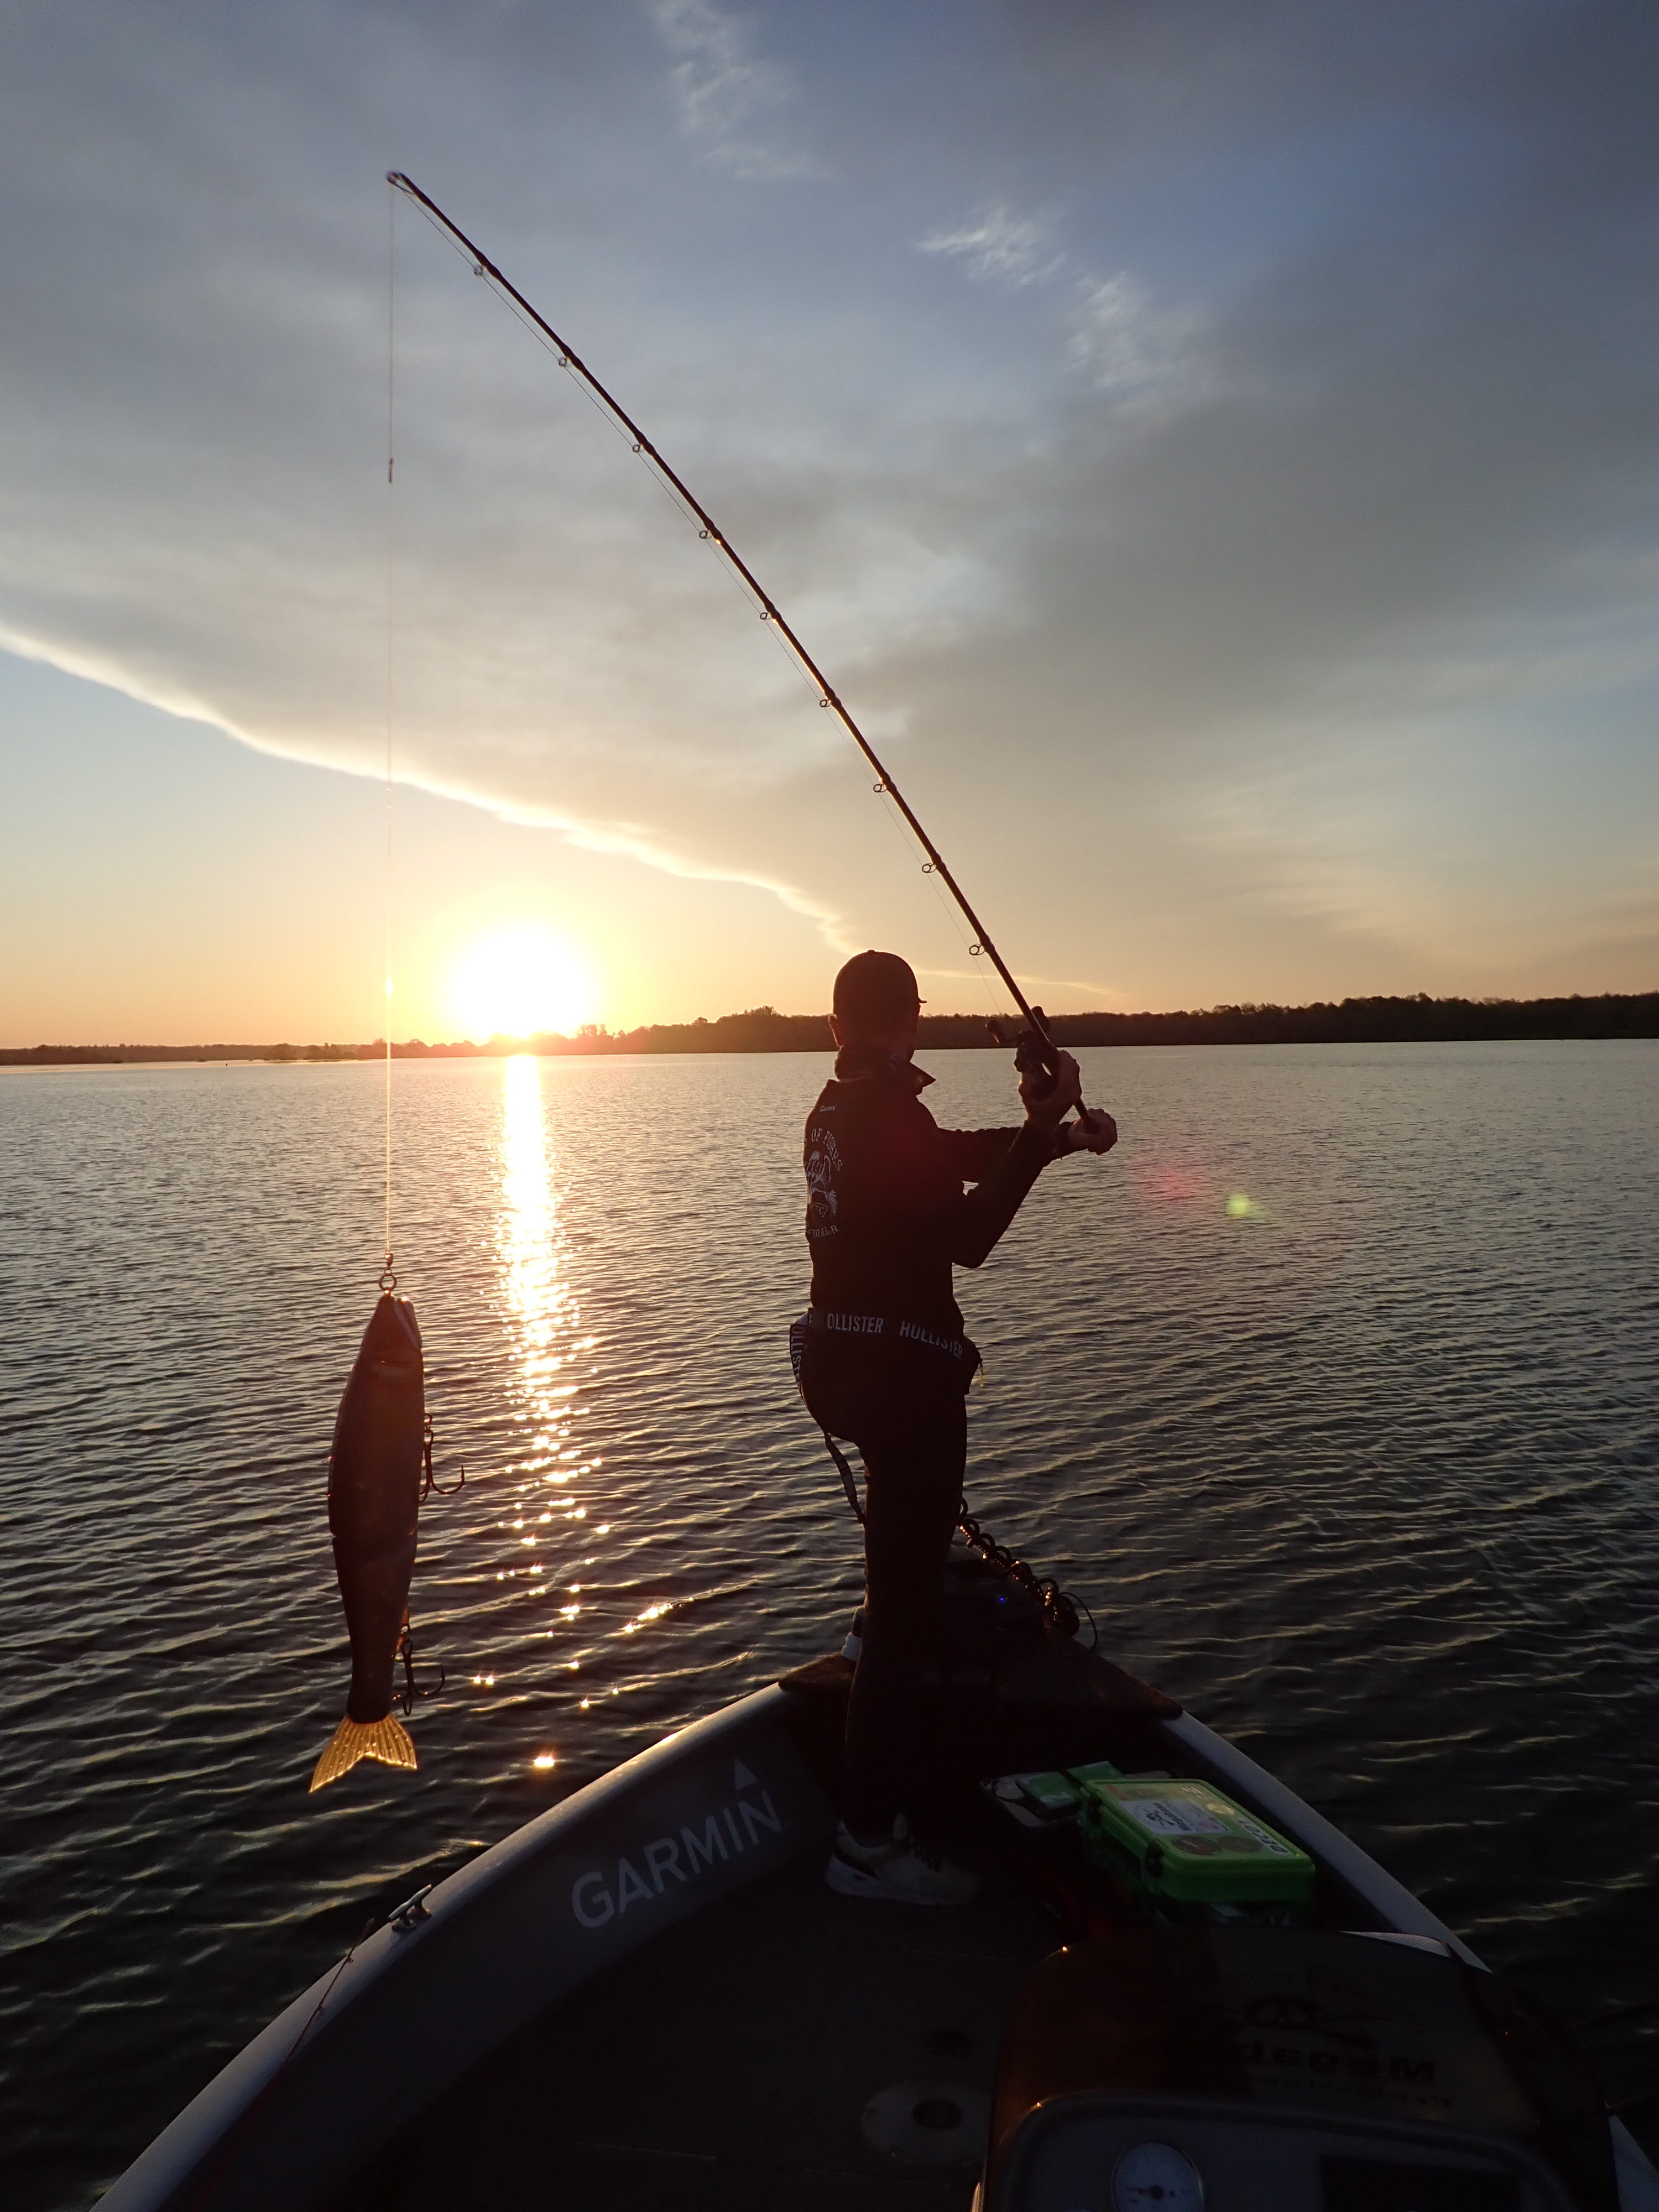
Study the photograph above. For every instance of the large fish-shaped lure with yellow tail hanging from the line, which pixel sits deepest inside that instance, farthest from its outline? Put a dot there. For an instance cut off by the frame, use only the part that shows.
(373, 1507)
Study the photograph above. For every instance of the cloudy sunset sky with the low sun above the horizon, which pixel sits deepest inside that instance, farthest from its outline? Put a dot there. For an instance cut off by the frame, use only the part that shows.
(1213, 450)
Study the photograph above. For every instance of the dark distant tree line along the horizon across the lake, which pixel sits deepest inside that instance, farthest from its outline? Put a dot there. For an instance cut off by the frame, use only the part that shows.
(764, 1030)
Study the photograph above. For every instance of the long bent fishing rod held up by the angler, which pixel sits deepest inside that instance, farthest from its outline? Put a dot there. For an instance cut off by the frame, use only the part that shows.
(1041, 1043)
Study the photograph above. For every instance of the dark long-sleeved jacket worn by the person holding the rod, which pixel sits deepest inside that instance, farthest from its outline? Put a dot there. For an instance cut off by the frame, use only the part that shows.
(886, 1207)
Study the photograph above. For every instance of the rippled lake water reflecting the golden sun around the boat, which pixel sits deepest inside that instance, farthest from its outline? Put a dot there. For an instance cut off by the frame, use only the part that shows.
(1333, 1392)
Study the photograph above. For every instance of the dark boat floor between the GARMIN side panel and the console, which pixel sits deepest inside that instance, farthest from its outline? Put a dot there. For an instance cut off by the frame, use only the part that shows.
(751, 2060)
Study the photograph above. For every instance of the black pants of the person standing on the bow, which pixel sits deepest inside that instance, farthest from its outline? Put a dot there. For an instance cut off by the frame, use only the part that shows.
(906, 1415)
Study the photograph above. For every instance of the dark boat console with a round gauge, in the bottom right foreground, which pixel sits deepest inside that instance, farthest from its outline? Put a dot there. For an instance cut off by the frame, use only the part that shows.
(1273, 2069)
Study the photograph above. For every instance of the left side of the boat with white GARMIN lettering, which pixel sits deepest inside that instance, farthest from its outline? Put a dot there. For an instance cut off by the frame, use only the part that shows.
(337, 2076)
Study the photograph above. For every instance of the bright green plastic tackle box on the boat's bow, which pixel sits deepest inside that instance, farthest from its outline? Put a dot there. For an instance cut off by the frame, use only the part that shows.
(1191, 1844)
